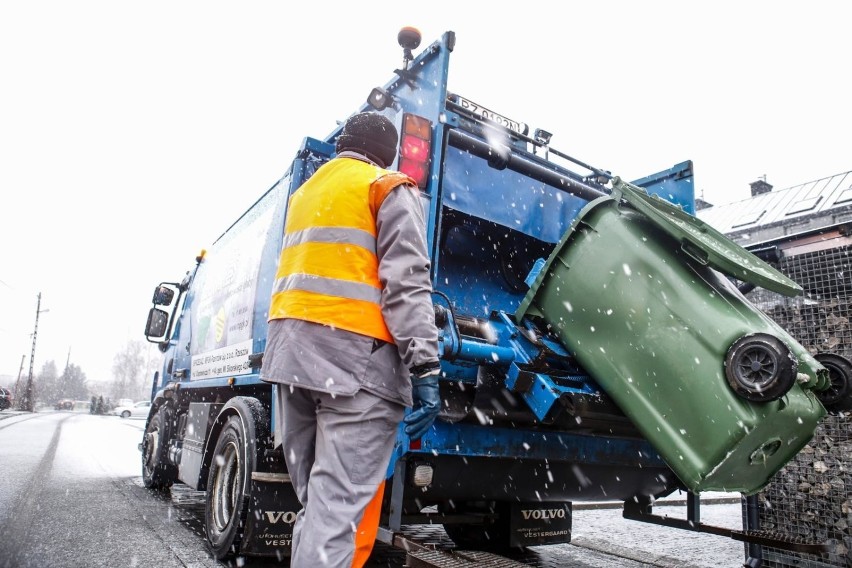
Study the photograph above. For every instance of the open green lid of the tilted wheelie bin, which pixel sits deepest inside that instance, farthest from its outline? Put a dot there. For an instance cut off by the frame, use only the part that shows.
(704, 242)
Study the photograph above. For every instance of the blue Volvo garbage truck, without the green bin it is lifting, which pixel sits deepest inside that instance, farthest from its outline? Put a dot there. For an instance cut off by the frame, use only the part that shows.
(523, 427)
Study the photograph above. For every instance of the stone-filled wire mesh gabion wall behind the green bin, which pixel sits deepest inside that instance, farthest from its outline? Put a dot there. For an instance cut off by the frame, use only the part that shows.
(811, 497)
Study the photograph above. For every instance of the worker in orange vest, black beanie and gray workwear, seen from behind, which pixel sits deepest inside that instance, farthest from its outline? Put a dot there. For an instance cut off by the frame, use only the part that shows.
(352, 340)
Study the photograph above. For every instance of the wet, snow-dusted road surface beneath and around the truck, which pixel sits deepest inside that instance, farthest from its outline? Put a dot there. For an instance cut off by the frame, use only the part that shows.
(72, 496)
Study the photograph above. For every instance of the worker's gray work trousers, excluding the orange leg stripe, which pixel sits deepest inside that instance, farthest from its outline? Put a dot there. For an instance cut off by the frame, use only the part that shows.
(337, 450)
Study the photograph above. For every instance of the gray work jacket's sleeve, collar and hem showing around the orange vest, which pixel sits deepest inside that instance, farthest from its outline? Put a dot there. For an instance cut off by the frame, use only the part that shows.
(318, 357)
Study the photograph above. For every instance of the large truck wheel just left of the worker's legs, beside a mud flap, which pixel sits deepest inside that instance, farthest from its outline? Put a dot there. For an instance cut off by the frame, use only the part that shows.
(228, 488)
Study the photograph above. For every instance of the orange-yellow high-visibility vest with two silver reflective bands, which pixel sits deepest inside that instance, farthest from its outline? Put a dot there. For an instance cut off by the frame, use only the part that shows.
(328, 272)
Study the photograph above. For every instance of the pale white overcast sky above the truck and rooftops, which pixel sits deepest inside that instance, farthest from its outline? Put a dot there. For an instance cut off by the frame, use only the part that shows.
(133, 133)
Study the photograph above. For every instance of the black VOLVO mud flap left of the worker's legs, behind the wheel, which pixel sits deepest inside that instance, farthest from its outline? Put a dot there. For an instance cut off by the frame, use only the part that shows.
(272, 512)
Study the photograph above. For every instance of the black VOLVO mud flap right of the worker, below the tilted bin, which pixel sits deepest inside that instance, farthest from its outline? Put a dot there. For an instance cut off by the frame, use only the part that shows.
(539, 522)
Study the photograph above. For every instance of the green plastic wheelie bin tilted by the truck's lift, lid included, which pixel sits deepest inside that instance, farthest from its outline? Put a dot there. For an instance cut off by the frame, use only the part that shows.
(644, 295)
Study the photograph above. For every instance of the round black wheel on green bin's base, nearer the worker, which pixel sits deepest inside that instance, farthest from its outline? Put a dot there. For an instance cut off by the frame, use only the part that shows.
(760, 367)
